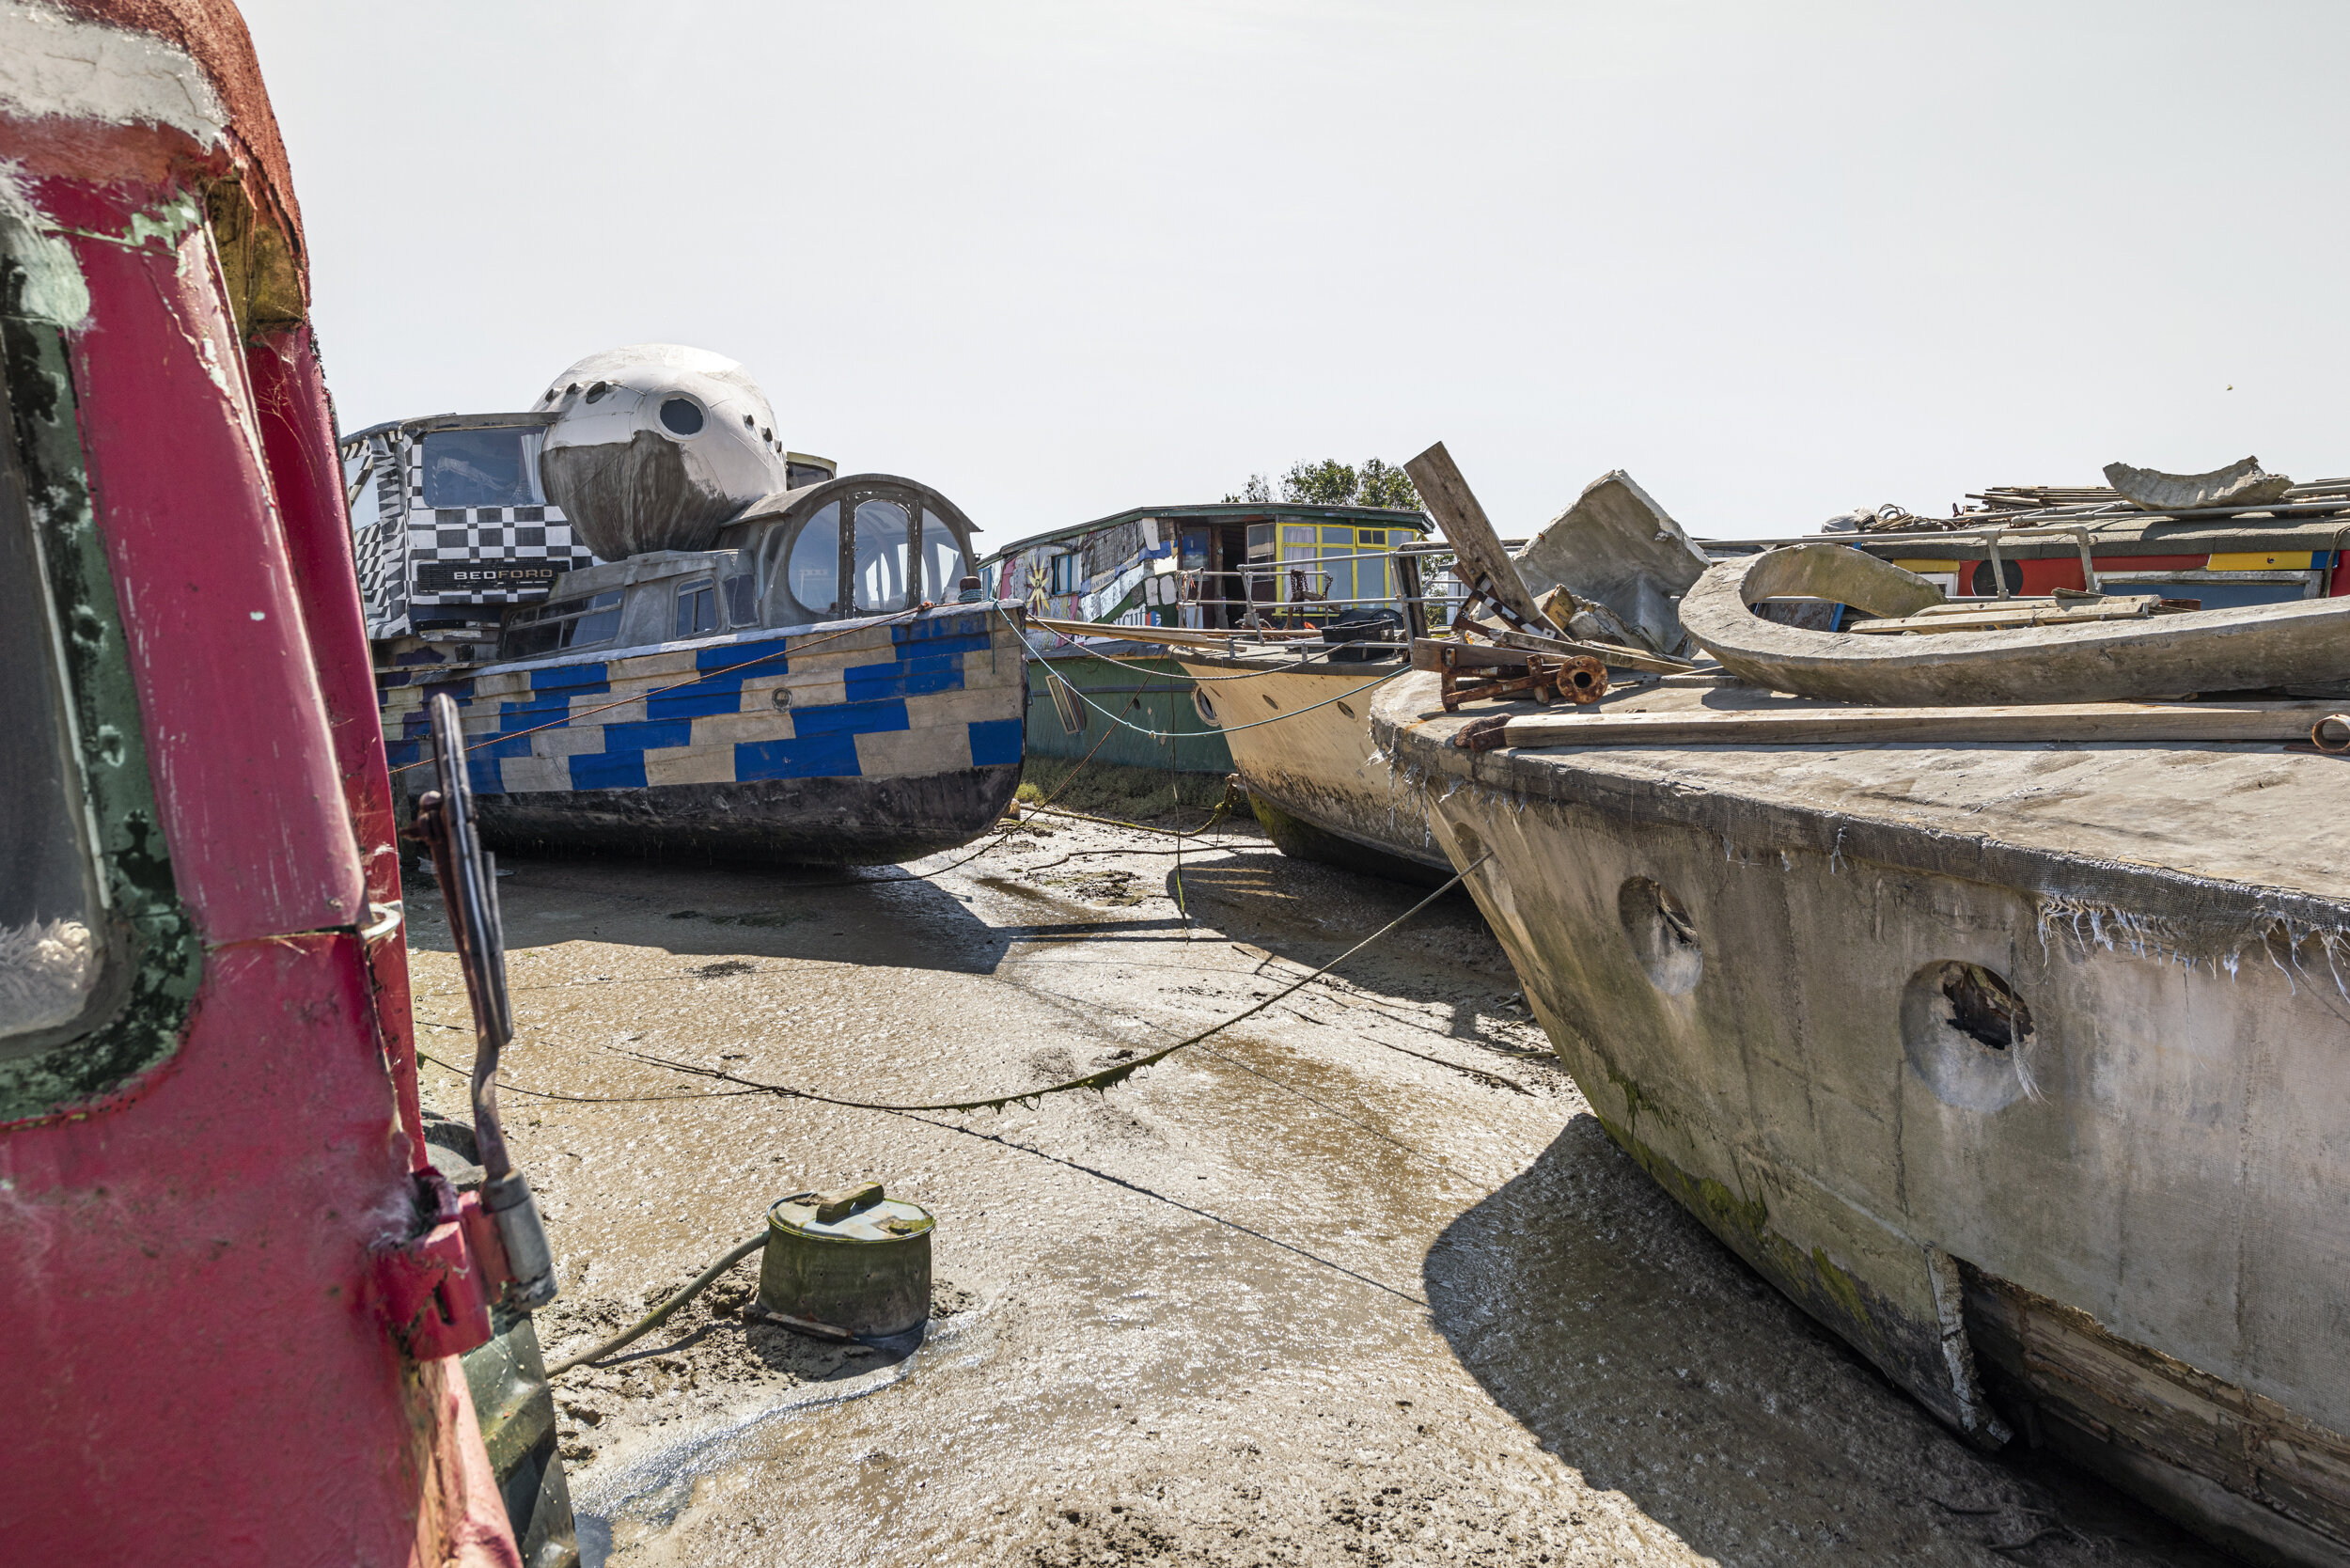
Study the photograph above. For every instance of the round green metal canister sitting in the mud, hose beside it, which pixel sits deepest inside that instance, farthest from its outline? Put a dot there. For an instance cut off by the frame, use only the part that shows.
(852, 1264)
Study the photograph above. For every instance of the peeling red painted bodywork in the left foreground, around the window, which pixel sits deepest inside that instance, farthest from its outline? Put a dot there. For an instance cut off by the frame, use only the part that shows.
(199, 1362)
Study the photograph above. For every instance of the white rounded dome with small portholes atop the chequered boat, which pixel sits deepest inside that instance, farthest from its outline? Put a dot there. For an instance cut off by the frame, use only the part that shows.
(657, 445)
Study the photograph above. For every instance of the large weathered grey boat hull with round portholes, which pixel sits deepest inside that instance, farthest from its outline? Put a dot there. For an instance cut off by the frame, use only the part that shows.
(1780, 981)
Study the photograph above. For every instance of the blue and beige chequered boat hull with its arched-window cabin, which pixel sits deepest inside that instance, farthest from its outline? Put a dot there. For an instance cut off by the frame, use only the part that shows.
(701, 702)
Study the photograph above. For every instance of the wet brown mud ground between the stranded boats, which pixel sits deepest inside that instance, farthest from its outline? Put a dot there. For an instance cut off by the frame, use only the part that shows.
(1355, 1282)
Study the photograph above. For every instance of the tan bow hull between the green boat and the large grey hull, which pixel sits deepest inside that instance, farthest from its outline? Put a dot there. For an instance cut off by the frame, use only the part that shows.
(1315, 777)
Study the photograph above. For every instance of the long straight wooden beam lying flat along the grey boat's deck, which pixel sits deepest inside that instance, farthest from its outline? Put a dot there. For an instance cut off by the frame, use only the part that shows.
(2017, 725)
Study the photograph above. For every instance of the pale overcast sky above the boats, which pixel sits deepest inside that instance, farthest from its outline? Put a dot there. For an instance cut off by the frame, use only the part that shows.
(1066, 260)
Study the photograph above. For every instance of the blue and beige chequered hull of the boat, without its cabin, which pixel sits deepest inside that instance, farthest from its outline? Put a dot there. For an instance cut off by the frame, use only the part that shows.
(847, 744)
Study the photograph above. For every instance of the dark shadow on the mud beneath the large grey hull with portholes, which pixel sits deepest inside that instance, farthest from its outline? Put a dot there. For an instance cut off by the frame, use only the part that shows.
(1644, 1353)
